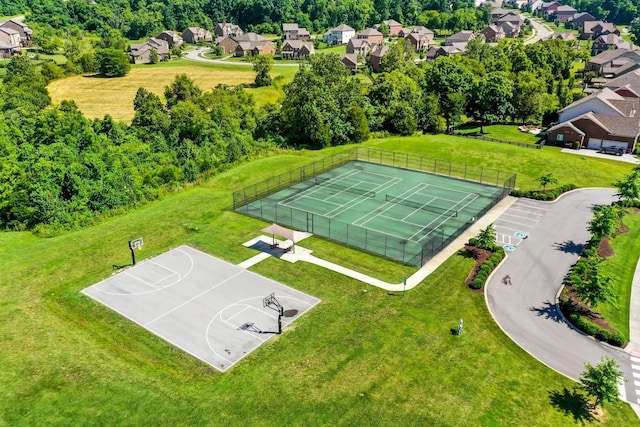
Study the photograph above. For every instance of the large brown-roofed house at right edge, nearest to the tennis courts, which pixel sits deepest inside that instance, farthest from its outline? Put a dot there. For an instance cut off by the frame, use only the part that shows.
(603, 119)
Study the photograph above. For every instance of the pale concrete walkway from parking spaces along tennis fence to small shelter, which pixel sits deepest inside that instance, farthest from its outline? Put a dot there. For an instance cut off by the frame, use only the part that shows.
(265, 245)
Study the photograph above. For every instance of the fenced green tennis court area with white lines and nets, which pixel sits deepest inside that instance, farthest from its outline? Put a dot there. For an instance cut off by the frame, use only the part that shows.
(403, 214)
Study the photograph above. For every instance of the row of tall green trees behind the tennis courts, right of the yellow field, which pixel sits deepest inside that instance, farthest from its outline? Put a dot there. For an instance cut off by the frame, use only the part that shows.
(324, 105)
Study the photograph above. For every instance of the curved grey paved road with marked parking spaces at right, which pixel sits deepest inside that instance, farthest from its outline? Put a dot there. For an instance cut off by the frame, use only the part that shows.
(526, 310)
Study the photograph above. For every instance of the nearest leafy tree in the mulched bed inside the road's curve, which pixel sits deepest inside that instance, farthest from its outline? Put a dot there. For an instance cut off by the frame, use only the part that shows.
(590, 282)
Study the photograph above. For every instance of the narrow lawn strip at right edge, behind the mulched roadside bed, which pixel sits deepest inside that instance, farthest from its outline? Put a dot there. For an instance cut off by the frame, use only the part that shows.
(621, 268)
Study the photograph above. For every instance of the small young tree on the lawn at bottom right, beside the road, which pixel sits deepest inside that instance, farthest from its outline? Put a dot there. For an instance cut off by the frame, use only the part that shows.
(601, 380)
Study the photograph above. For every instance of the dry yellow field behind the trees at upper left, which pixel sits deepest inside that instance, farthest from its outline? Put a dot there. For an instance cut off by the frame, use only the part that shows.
(96, 96)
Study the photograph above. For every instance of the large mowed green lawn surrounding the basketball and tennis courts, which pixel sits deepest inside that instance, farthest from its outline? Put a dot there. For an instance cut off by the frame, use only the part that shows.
(361, 357)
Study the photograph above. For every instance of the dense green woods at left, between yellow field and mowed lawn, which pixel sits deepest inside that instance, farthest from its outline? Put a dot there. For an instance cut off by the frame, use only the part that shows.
(60, 170)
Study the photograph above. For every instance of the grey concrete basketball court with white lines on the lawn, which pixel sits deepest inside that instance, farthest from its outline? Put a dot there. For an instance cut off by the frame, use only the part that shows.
(207, 307)
